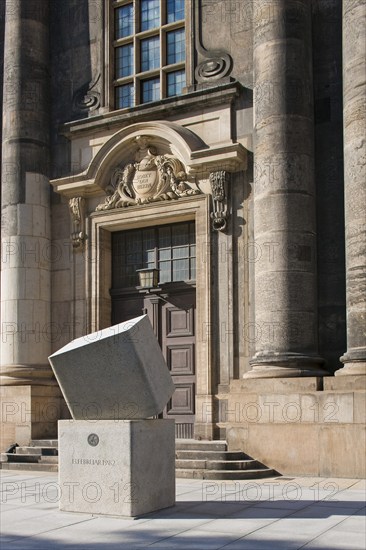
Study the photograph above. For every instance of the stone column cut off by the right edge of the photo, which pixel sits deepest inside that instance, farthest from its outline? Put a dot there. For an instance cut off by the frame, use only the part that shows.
(354, 124)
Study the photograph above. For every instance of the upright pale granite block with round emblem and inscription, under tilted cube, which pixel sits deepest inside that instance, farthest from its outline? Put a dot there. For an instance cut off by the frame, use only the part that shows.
(119, 468)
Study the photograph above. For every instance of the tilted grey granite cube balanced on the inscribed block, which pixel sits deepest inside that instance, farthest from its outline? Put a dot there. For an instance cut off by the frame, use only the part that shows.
(115, 373)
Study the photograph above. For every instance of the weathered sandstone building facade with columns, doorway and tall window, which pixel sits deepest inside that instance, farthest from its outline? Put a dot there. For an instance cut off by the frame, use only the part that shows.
(220, 142)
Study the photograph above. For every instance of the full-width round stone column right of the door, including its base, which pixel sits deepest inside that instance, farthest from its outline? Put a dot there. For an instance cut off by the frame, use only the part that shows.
(284, 195)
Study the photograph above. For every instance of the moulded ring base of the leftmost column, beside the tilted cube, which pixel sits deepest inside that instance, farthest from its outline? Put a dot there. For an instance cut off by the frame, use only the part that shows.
(27, 375)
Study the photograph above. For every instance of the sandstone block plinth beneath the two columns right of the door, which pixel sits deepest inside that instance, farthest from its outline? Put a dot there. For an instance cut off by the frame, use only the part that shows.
(297, 428)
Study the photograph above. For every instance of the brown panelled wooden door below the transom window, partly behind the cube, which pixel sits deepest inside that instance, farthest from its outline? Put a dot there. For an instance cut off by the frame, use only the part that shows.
(171, 309)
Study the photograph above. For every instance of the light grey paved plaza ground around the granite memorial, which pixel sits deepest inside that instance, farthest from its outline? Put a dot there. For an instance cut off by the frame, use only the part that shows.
(270, 514)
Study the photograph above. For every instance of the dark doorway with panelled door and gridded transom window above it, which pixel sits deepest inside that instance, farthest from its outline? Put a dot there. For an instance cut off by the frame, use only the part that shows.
(171, 307)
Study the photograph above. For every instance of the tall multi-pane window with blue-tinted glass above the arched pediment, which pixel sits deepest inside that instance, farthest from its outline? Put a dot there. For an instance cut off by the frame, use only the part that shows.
(149, 50)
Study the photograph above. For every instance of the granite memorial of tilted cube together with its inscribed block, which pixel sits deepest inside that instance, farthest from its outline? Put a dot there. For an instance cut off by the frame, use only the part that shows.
(114, 459)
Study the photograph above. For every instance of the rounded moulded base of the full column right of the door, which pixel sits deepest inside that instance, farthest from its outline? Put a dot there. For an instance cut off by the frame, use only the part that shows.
(285, 365)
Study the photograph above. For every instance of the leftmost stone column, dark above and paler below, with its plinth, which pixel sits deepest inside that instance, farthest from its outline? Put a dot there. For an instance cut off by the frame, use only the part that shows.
(25, 275)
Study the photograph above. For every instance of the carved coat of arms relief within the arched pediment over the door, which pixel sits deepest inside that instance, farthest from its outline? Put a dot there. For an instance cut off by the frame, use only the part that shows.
(150, 178)
